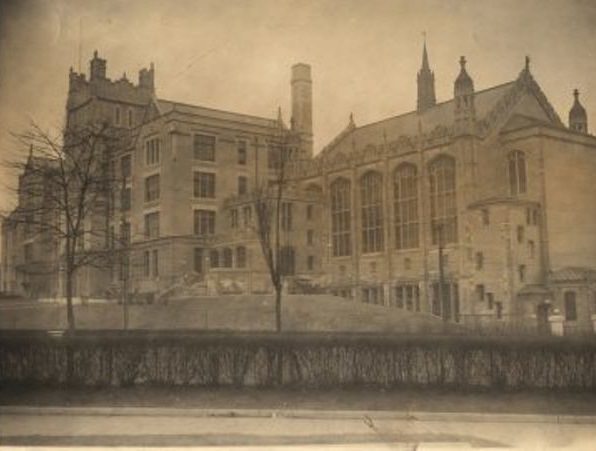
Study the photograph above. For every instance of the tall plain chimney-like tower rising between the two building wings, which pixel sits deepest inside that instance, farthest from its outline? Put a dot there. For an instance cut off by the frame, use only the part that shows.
(301, 120)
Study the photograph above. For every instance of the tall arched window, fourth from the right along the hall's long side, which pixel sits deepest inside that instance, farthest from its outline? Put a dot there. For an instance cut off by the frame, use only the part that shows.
(341, 198)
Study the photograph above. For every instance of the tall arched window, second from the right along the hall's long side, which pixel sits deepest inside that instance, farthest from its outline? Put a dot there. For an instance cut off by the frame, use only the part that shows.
(405, 198)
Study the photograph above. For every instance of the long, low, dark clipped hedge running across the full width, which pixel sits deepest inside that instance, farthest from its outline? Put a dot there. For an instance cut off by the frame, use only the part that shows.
(312, 360)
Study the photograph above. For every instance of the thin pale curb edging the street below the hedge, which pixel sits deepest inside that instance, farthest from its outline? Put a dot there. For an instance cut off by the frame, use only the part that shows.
(302, 414)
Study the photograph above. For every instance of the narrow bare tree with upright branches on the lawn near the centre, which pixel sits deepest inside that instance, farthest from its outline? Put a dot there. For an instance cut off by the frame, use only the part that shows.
(268, 204)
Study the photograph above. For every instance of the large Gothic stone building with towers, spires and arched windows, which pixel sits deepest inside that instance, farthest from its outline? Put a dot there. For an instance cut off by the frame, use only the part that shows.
(491, 180)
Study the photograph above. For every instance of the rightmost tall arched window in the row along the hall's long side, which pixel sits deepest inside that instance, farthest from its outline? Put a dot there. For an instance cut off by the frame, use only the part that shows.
(443, 208)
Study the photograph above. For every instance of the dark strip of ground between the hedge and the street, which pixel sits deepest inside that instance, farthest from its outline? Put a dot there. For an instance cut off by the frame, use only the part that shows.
(384, 402)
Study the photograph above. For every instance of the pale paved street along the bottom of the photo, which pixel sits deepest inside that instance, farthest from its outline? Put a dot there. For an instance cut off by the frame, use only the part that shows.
(288, 429)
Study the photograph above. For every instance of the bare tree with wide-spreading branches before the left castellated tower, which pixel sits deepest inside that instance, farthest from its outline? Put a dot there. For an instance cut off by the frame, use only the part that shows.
(65, 195)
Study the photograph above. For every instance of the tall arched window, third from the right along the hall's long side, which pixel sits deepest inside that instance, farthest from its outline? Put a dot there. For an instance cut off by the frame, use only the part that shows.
(371, 203)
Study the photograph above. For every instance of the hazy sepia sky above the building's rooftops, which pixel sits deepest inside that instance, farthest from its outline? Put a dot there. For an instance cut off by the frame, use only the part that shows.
(236, 55)
